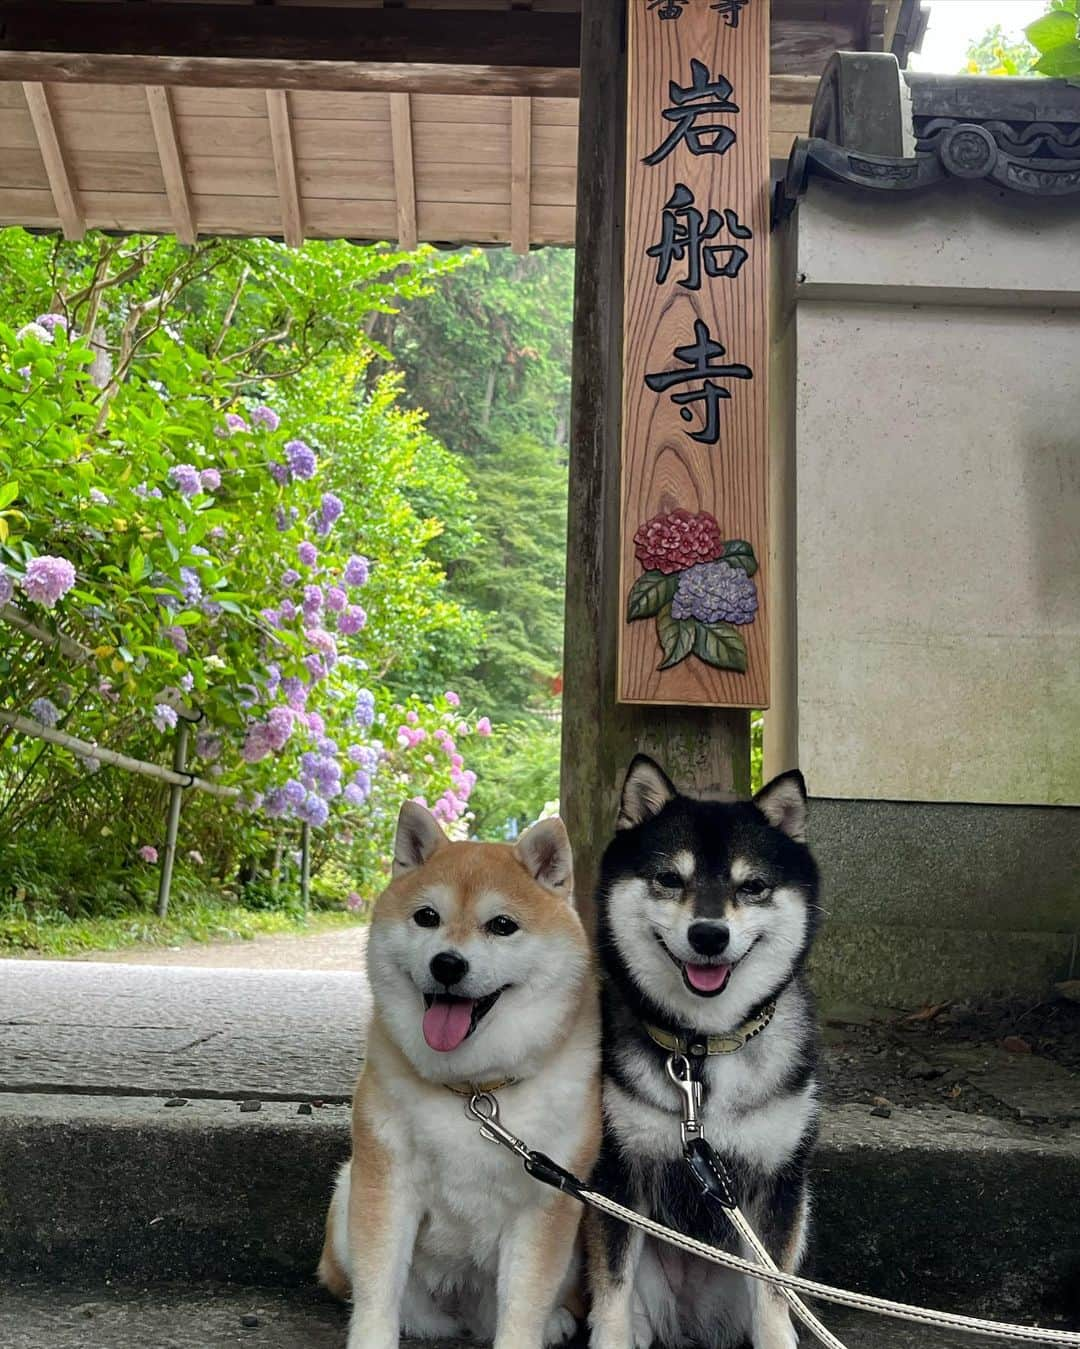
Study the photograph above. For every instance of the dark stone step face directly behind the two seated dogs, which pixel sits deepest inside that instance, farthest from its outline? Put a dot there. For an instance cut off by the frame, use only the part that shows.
(928, 1207)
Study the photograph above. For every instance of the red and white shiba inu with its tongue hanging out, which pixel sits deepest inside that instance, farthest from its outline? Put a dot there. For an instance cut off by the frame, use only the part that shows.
(482, 979)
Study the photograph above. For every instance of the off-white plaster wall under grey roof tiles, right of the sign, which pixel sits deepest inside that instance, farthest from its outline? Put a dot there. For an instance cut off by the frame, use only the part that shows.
(938, 521)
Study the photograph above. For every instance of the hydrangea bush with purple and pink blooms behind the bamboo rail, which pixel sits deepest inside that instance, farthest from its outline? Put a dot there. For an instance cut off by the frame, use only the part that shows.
(222, 551)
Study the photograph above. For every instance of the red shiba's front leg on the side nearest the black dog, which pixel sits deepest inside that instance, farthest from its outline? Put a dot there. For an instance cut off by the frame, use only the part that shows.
(535, 1258)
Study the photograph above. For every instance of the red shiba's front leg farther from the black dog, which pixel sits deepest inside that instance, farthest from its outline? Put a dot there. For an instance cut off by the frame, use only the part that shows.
(384, 1216)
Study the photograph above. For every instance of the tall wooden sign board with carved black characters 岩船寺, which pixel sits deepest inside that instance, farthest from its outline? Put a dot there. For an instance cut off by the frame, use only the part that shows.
(695, 465)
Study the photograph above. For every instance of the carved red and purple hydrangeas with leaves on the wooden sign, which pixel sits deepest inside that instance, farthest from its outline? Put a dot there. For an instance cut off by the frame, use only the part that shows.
(698, 586)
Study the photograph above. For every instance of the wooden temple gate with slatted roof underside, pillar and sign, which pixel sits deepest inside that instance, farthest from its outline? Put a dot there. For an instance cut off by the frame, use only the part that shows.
(478, 122)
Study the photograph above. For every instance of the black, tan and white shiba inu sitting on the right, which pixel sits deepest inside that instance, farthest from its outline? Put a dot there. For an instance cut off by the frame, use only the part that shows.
(706, 917)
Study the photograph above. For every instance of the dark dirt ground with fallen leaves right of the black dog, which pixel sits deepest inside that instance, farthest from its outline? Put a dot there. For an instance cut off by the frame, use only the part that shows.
(1005, 1060)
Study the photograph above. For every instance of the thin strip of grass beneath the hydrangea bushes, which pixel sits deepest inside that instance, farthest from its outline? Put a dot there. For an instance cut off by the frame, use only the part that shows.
(188, 922)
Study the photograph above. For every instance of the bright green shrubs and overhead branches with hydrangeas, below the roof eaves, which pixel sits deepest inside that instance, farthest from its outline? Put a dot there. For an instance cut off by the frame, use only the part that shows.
(204, 486)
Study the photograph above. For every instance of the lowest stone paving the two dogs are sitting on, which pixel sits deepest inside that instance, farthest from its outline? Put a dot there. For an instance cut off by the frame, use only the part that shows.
(265, 1319)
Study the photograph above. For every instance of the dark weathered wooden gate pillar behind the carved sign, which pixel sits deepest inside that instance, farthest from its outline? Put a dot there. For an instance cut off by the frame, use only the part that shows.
(703, 749)
